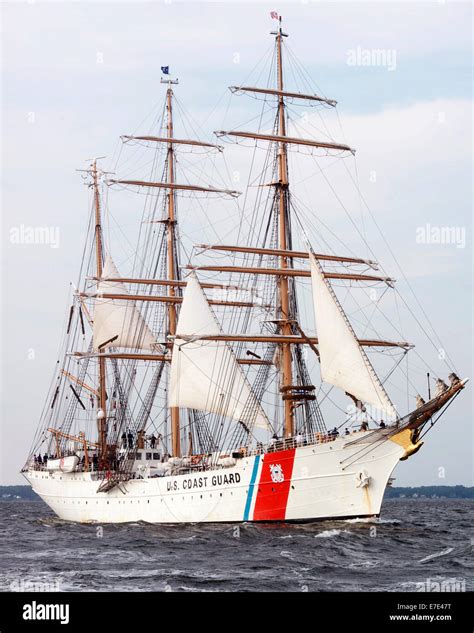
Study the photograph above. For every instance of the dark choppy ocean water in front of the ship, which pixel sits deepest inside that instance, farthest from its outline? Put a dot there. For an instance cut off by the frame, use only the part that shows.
(417, 543)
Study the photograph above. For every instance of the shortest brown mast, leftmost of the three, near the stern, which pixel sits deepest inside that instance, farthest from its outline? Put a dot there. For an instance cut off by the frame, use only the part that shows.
(102, 408)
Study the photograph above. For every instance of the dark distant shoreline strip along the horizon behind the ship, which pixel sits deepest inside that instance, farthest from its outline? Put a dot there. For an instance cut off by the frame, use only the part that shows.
(25, 493)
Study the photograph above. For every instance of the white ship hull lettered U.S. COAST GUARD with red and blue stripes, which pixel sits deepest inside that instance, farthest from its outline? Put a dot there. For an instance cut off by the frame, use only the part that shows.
(338, 479)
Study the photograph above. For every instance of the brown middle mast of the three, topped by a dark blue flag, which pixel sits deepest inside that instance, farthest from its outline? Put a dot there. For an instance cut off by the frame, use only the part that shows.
(171, 252)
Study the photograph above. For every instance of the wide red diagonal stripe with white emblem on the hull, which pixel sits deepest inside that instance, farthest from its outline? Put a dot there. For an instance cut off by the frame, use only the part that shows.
(274, 486)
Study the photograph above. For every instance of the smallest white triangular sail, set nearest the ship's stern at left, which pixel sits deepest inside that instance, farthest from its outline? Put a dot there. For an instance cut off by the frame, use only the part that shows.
(118, 317)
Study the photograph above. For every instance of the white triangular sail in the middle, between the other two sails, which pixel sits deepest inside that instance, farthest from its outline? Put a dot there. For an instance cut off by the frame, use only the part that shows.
(205, 375)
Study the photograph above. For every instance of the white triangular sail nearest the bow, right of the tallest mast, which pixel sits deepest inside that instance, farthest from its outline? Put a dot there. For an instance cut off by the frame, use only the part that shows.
(343, 361)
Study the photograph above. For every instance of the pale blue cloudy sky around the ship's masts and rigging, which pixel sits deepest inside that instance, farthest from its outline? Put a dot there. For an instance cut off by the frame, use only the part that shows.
(75, 76)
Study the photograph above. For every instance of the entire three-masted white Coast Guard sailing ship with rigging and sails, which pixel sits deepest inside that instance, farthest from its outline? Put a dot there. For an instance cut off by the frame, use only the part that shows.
(232, 380)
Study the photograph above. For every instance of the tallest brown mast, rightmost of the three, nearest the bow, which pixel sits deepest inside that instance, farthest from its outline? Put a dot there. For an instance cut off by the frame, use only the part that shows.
(283, 283)
